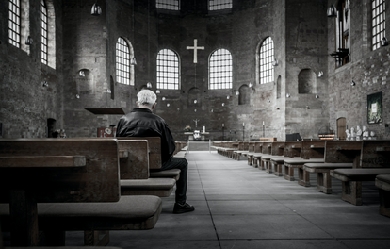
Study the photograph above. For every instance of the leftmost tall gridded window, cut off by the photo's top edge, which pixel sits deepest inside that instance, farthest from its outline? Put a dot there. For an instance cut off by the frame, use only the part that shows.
(14, 22)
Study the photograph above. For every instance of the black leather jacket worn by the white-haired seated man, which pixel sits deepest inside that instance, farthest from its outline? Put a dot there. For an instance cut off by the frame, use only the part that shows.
(142, 122)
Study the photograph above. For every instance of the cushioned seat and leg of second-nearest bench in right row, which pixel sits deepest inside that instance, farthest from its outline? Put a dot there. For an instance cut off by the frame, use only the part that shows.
(351, 181)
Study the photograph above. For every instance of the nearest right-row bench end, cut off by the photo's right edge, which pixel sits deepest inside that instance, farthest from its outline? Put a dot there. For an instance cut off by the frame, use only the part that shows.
(382, 182)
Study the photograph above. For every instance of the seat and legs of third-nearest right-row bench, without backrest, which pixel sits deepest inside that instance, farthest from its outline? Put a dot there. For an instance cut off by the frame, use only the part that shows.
(324, 180)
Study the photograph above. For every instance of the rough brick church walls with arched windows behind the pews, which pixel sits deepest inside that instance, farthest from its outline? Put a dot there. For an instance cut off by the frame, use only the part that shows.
(263, 68)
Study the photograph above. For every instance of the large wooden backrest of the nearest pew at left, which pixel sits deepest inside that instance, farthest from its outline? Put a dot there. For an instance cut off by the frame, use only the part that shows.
(93, 177)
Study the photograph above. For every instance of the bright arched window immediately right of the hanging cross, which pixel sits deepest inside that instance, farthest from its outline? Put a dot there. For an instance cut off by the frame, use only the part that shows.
(221, 70)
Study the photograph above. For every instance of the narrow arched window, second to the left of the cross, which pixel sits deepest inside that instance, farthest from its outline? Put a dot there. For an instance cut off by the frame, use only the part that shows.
(122, 62)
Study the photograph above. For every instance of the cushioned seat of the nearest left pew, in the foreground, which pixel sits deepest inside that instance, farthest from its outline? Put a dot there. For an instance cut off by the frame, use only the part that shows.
(129, 213)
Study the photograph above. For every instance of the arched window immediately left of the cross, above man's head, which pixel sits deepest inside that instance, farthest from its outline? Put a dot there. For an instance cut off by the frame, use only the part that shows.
(167, 70)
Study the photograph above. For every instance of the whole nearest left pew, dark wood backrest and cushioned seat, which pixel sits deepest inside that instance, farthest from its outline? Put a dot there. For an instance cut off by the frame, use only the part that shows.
(76, 183)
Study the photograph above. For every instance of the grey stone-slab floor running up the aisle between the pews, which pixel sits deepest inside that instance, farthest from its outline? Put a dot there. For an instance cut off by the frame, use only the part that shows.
(238, 206)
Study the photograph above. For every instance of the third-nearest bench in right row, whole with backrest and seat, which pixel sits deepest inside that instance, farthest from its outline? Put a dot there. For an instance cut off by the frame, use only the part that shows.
(338, 154)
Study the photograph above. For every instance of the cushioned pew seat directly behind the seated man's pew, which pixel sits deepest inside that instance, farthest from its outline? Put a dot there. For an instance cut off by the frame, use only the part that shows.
(161, 187)
